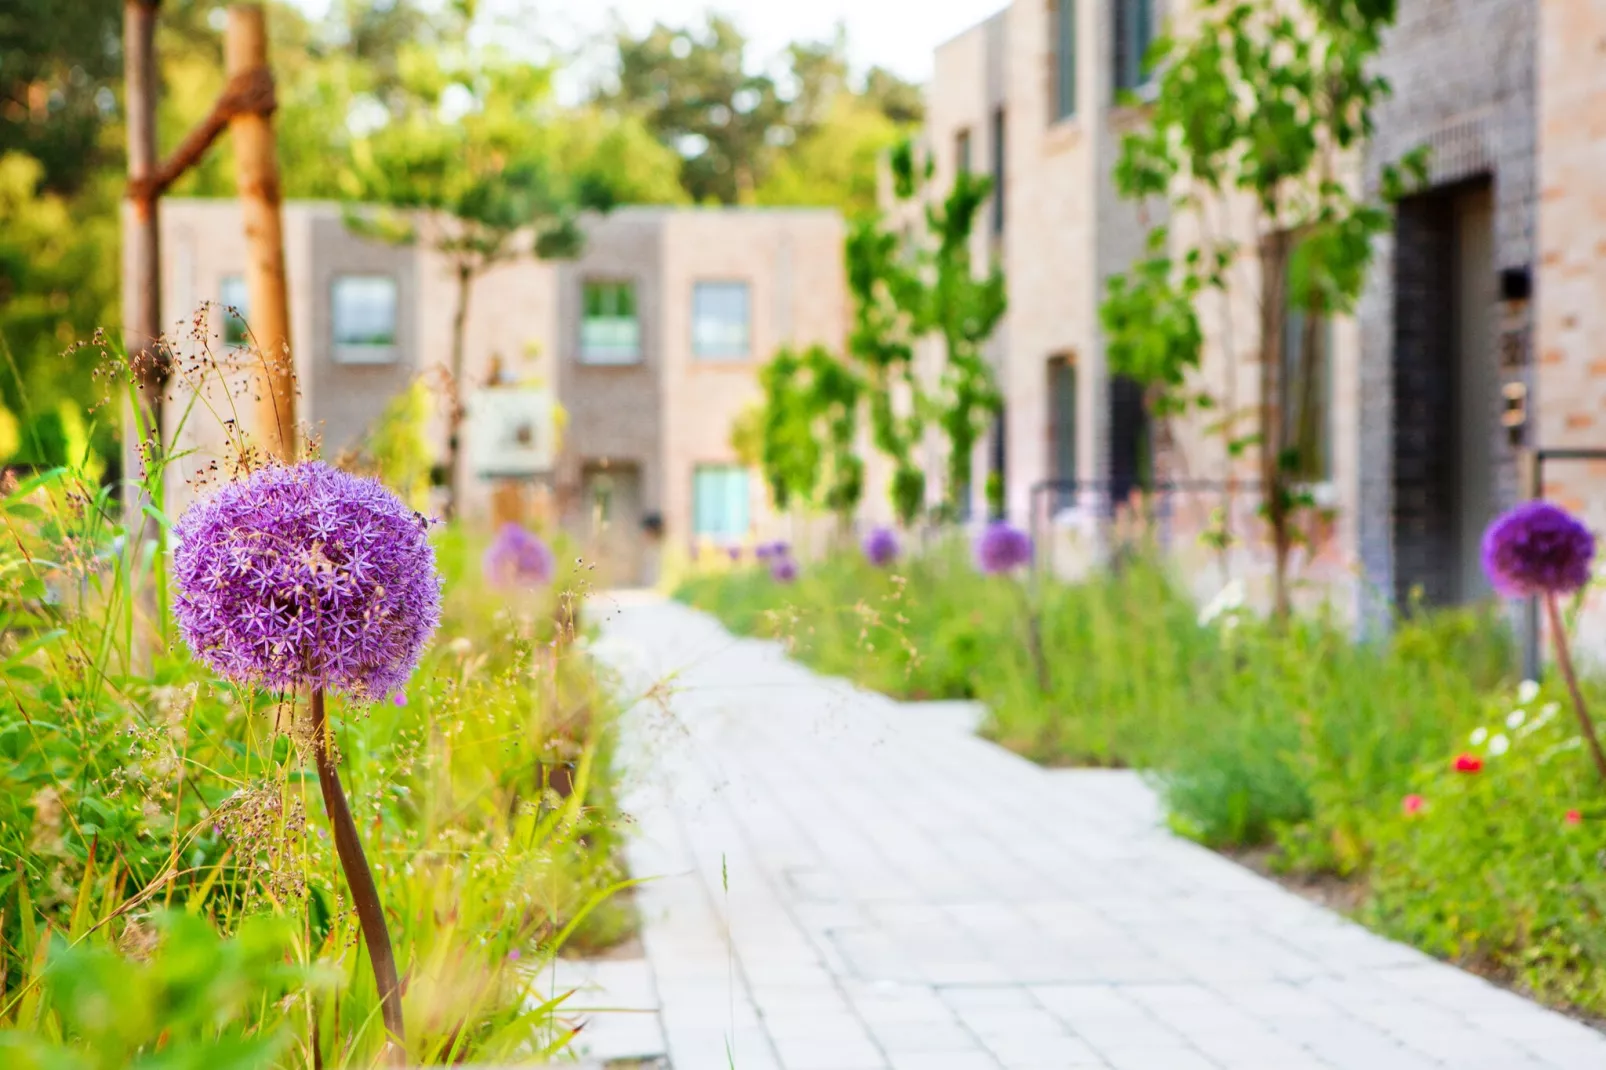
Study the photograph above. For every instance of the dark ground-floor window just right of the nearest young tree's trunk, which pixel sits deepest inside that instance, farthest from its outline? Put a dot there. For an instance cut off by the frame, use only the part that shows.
(1306, 398)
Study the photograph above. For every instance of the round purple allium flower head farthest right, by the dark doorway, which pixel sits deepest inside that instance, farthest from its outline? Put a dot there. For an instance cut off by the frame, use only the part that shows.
(1538, 549)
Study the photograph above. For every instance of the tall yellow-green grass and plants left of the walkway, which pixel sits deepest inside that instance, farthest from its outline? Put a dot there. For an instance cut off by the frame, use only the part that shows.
(161, 831)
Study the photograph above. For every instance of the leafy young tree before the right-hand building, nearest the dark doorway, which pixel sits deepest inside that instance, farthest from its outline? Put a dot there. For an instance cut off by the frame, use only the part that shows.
(1263, 107)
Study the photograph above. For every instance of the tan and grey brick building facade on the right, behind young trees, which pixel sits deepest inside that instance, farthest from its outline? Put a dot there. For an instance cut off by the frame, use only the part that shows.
(1465, 359)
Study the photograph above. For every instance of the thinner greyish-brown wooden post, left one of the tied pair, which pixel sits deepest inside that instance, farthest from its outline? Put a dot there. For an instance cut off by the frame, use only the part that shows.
(142, 266)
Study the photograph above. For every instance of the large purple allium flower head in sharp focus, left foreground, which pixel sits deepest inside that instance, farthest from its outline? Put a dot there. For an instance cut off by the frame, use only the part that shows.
(306, 576)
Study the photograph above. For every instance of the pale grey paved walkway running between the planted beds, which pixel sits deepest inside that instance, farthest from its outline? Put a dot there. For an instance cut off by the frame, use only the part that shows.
(857, 884)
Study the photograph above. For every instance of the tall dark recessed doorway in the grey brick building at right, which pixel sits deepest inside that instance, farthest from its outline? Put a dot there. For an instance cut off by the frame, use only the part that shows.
(1445, 394)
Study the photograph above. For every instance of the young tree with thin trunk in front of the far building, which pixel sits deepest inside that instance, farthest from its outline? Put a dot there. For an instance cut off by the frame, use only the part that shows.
(468, 165)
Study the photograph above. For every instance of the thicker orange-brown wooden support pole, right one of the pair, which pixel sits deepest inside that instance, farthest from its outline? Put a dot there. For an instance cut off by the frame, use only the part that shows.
(258, 176)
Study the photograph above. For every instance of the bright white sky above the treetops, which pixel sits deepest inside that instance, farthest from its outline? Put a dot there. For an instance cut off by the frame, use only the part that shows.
(897, 35)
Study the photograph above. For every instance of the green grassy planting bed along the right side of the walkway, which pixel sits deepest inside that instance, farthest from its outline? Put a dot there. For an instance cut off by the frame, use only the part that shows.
(1295, 738)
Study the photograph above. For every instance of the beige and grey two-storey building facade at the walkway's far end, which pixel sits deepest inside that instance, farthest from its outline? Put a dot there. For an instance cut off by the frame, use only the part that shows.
(650, 343)
